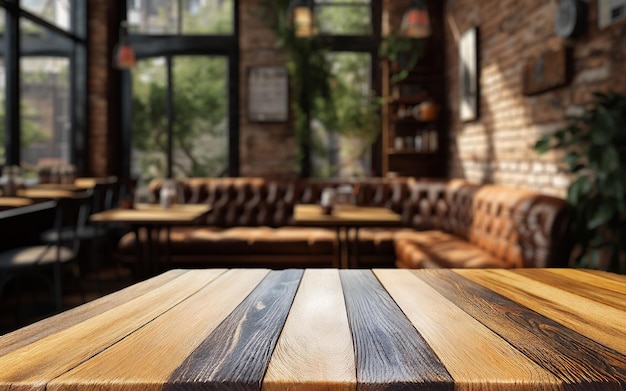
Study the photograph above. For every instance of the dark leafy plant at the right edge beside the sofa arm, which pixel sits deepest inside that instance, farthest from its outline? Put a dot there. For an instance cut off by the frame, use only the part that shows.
(594, 148)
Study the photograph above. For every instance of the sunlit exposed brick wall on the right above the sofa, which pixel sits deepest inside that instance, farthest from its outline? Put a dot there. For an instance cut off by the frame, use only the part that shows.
(497, 147)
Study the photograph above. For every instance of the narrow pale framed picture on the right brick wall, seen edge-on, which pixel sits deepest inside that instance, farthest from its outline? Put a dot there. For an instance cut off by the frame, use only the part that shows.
(468, 75)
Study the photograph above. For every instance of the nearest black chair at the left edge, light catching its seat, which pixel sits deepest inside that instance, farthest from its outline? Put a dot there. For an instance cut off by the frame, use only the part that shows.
(40, 259)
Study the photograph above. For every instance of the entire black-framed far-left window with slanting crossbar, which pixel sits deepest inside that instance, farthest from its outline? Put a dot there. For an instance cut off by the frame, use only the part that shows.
(43, 103)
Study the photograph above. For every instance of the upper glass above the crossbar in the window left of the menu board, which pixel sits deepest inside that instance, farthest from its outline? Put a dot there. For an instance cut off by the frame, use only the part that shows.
(180, 16)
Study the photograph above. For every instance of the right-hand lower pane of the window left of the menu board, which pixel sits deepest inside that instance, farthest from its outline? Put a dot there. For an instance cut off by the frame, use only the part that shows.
(201, 116)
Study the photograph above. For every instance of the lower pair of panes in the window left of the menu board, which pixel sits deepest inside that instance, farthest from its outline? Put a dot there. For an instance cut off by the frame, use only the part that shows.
(199, 131)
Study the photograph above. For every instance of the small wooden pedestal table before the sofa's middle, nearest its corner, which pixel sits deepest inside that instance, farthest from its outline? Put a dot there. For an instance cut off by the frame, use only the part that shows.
(343, 219)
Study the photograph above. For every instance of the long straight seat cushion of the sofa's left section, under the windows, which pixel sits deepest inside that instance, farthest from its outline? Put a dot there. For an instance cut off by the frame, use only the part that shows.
(243, 240)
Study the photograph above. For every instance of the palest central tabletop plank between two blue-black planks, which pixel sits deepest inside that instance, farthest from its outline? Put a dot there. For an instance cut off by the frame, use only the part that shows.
(315, 350)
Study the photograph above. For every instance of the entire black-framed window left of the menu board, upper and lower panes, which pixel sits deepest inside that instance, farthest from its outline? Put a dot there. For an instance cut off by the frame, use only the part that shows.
(183, 117)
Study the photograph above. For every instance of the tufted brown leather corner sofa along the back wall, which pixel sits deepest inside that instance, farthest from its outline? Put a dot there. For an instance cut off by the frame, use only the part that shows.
(446, 223)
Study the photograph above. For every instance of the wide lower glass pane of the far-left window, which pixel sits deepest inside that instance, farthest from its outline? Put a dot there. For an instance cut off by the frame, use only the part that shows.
(45, 116)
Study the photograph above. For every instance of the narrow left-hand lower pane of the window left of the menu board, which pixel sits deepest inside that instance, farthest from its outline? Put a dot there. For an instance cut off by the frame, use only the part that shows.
(149, 120)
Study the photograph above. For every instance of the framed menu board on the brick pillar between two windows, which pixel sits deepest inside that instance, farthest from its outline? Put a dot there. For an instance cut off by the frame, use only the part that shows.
(268, 94)
